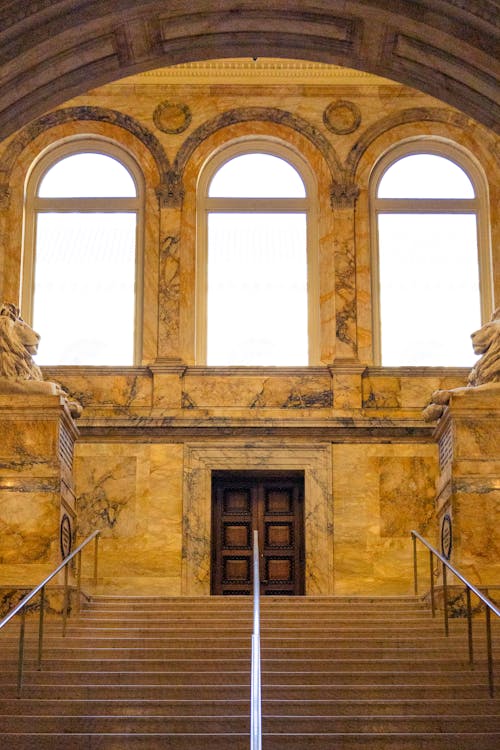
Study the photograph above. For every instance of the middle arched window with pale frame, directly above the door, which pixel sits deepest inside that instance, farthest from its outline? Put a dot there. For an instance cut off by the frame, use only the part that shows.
(256, 263)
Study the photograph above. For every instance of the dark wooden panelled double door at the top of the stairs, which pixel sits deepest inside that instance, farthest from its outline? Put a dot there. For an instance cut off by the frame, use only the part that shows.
(273, 504)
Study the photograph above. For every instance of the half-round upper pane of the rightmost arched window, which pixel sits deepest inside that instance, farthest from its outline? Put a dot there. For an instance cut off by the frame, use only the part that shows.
(425, 176)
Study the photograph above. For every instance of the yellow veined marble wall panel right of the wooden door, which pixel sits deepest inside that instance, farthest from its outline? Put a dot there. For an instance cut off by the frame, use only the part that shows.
(381, 493)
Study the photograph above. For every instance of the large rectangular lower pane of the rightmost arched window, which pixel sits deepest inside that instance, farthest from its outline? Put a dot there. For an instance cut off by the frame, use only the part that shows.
(429, 289)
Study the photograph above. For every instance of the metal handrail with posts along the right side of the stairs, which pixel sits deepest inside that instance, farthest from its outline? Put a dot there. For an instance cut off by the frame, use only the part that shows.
(469, 588)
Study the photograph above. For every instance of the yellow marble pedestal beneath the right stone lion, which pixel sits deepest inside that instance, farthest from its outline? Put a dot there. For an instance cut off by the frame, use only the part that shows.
(468, 492)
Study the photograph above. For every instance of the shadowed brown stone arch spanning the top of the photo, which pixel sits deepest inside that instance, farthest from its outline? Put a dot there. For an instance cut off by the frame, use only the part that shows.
(51, 50)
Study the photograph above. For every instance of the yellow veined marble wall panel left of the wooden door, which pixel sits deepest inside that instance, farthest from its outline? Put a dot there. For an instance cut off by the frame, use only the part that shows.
(133, 494)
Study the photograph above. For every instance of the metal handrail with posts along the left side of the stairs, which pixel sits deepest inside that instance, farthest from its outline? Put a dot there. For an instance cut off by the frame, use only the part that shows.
(21, 607)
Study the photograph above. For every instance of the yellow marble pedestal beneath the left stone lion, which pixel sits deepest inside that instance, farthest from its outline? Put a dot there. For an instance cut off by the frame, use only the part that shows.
(37, 501)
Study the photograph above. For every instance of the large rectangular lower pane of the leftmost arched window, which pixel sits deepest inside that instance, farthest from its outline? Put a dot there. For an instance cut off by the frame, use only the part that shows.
(84, 288)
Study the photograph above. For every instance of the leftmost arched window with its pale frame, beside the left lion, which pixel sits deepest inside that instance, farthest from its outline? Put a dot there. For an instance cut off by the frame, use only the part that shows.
(83, 207)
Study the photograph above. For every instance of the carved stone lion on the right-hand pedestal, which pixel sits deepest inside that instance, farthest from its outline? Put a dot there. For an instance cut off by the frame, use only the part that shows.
(485, 341)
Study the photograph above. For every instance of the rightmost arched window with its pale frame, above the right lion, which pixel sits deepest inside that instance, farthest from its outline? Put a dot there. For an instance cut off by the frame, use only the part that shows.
(431, 270)
